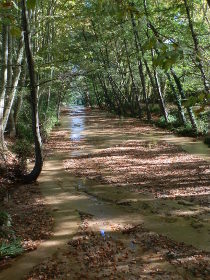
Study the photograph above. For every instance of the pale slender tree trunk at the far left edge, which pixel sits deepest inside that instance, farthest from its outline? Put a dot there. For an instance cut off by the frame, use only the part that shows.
(3, 87)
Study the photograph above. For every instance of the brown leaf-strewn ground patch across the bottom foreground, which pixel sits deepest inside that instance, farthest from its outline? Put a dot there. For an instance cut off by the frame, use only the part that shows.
(131, 253)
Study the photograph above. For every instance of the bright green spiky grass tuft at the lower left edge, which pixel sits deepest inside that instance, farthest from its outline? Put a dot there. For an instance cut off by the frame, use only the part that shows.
(11, 249)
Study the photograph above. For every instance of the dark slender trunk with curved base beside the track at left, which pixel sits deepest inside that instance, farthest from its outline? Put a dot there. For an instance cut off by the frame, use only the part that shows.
(34, 101)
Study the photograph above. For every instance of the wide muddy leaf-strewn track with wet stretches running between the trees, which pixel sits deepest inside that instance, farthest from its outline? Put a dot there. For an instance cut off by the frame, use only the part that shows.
(128, 202)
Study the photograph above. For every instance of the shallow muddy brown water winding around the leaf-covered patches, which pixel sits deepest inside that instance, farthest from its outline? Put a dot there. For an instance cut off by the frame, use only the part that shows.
(70, 196)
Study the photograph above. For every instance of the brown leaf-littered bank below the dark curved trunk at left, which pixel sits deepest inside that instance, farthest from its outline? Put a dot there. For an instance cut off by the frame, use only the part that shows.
(31, 220)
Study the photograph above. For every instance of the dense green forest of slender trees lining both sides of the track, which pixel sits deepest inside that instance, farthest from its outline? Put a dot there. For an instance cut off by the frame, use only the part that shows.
(144, 59)
